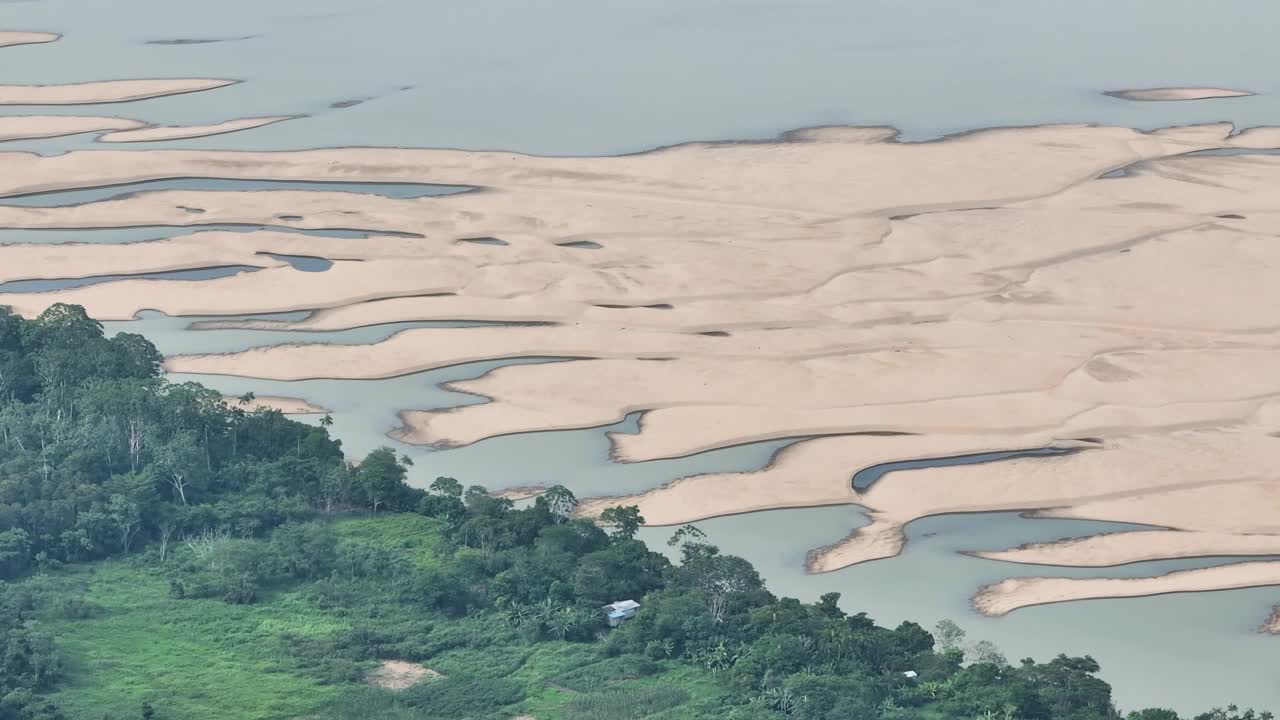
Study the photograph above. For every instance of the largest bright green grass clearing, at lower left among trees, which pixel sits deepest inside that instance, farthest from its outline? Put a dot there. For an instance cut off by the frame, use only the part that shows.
(190, 658)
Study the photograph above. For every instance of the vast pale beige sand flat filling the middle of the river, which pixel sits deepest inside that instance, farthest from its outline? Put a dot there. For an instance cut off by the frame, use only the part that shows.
(984, 293)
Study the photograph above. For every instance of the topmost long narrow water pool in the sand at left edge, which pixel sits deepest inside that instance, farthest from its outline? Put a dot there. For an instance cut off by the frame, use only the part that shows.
(84, 195)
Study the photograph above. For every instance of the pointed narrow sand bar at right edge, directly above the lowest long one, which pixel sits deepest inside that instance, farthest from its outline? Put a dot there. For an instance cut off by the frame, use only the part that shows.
(1139, 546)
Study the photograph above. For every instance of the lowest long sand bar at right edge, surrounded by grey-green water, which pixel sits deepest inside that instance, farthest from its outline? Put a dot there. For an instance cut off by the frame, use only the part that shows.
(1004, 598)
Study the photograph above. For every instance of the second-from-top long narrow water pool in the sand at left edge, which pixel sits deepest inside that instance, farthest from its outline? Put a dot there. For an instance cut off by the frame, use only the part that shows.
(144, 234)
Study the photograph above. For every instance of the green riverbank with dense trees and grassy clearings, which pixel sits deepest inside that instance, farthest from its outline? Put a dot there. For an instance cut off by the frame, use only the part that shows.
(167, 555)
